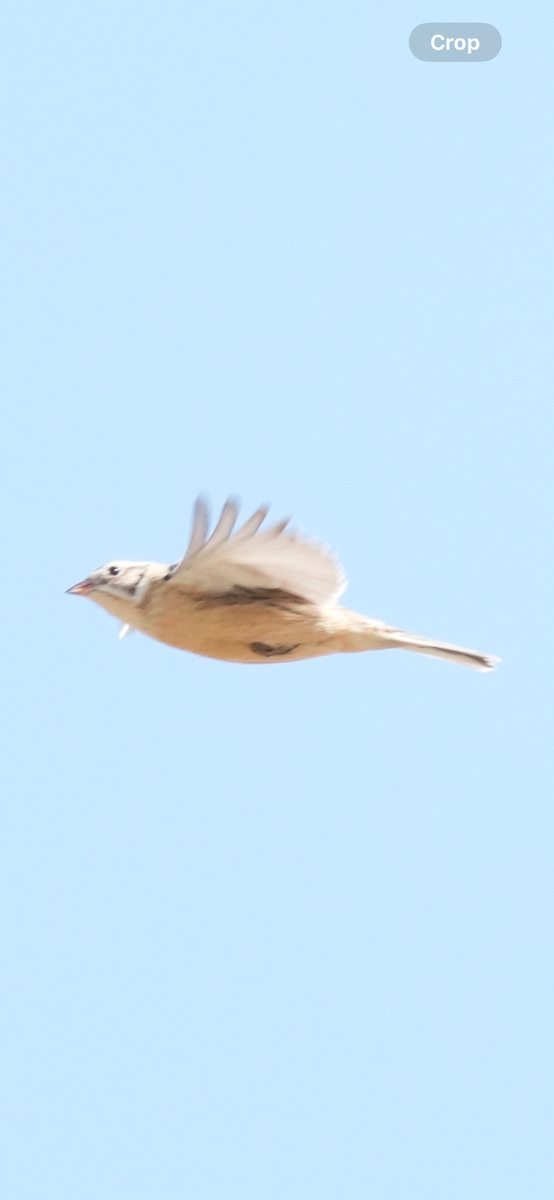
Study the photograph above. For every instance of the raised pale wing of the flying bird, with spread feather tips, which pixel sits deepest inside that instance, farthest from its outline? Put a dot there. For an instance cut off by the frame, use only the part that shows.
(248, 560)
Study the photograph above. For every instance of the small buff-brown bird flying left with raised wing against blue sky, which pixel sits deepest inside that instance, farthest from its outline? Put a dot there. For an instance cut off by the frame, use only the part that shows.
(251, 596)
